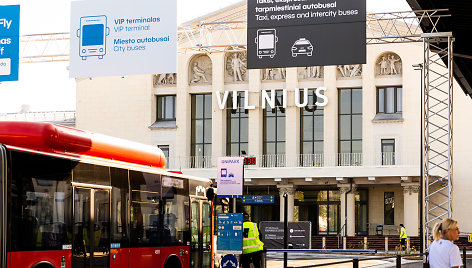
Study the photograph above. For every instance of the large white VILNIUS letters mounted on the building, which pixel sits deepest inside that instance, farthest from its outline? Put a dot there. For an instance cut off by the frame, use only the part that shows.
(268, 99)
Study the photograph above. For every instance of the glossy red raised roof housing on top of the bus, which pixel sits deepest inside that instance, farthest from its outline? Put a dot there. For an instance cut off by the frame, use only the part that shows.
(52, 138)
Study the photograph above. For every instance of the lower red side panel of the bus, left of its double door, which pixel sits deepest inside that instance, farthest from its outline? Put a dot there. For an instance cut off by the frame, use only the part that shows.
(30, 258)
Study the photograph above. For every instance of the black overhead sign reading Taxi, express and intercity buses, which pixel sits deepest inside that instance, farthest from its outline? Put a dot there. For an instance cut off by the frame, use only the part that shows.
(291, 33)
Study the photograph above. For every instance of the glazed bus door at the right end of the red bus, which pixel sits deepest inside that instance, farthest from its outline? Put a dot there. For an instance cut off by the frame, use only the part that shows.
(201, 233)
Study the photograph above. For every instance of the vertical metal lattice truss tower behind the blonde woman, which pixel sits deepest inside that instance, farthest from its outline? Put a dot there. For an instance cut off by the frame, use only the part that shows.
(437, 130)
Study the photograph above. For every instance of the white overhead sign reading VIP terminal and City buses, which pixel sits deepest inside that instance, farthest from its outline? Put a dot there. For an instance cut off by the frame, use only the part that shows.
(123, 37)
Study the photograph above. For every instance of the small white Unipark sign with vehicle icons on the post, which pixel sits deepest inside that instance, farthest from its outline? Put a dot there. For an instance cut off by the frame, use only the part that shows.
(230, 177)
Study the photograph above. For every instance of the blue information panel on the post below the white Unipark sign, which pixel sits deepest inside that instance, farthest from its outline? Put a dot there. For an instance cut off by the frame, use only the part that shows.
(230, 233)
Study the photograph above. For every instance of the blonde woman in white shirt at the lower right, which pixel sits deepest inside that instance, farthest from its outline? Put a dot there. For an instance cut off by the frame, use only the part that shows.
(442, 252)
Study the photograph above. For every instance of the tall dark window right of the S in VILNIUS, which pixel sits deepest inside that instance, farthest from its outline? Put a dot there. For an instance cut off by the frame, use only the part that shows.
(350, 127)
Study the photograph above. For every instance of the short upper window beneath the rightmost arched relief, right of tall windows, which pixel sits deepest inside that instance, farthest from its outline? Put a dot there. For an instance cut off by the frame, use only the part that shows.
(389, 100)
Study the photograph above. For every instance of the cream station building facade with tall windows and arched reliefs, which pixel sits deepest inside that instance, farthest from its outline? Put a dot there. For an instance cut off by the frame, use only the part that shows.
(349, 164)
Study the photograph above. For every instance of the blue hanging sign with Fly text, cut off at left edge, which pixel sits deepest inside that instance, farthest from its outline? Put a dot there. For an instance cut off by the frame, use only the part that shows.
(9, 42)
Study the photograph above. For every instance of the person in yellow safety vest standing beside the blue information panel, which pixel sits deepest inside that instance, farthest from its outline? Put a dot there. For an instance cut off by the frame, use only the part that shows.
(252, 246)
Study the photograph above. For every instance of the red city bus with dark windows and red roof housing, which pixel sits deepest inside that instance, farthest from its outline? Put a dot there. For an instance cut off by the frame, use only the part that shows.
(71, 198)
